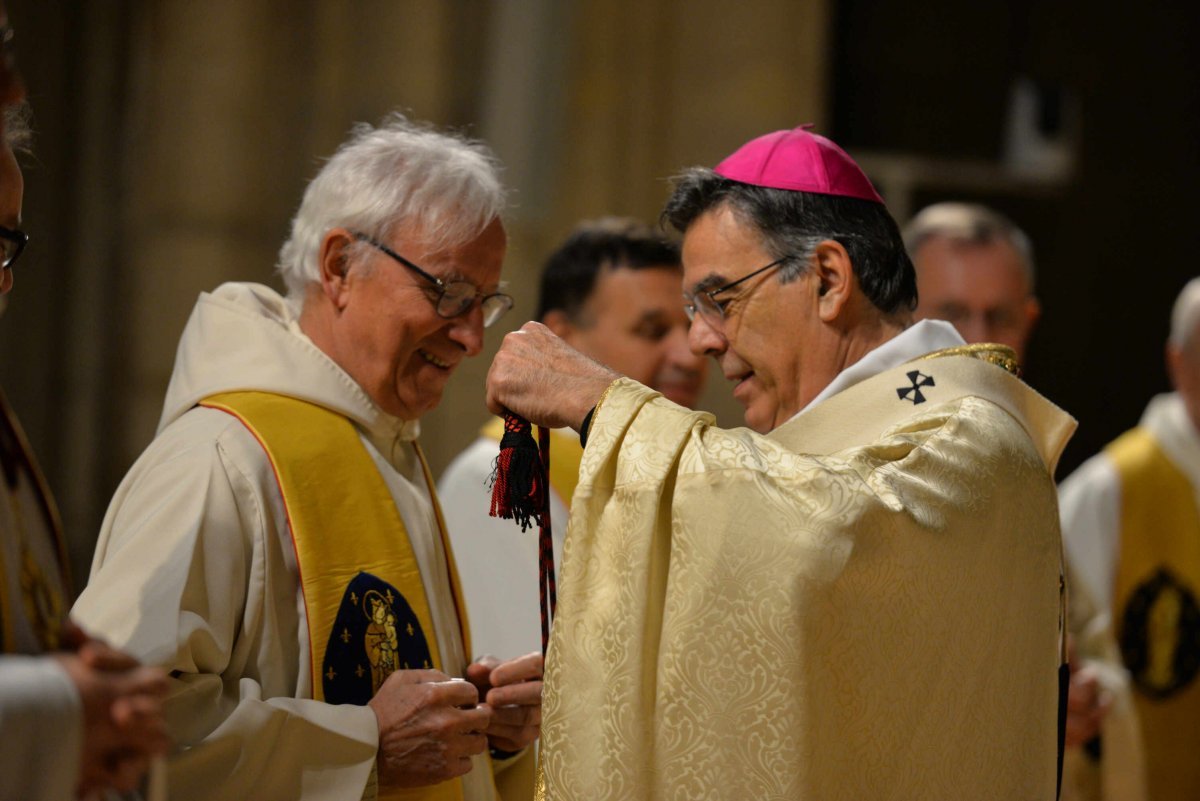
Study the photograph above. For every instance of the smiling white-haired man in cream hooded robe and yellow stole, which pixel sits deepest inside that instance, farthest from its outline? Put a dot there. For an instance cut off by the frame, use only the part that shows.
(279, 546)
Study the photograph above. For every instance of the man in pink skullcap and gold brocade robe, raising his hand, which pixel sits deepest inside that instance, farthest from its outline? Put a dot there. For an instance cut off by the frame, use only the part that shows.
(857, 595)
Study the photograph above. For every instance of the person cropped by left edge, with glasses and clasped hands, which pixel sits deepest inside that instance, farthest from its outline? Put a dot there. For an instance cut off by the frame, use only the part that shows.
(76, 716)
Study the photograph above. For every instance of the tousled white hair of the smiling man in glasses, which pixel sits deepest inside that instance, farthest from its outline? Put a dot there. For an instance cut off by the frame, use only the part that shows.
(445, 188)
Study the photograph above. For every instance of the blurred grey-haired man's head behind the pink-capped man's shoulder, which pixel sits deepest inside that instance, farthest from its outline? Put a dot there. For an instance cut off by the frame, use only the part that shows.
(975, 270)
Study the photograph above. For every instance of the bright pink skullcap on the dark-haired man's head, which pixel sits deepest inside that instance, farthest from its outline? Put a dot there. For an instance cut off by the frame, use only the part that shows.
(800, 161)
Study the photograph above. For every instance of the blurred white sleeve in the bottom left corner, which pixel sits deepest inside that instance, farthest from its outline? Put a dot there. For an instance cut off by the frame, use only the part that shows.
(41, 731)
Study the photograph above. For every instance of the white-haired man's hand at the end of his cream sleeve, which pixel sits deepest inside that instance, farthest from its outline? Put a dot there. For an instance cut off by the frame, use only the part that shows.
(430, 726)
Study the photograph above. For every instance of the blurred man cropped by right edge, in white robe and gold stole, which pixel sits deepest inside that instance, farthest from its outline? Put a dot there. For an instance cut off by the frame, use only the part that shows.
(1132, 531)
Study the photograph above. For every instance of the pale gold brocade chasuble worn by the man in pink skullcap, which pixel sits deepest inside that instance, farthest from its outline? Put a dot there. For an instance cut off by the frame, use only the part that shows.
(863, 605)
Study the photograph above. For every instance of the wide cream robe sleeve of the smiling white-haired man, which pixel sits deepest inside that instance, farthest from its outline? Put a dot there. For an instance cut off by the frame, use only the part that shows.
(189, 576)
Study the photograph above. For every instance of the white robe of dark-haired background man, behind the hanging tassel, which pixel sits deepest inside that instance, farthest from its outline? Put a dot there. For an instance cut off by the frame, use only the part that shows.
(497, 562)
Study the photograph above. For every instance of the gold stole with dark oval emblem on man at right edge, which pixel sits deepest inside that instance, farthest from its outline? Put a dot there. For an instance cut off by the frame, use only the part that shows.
(1156, 589)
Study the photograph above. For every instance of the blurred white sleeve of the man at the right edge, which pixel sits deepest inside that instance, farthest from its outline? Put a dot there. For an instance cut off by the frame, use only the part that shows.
(1090, 507)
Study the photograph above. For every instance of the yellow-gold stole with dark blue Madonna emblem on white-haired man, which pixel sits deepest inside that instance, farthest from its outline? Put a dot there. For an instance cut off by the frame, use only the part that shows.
(332, 492)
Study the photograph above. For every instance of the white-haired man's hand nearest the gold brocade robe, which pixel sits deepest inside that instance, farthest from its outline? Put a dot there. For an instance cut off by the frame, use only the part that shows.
(513, 690)
